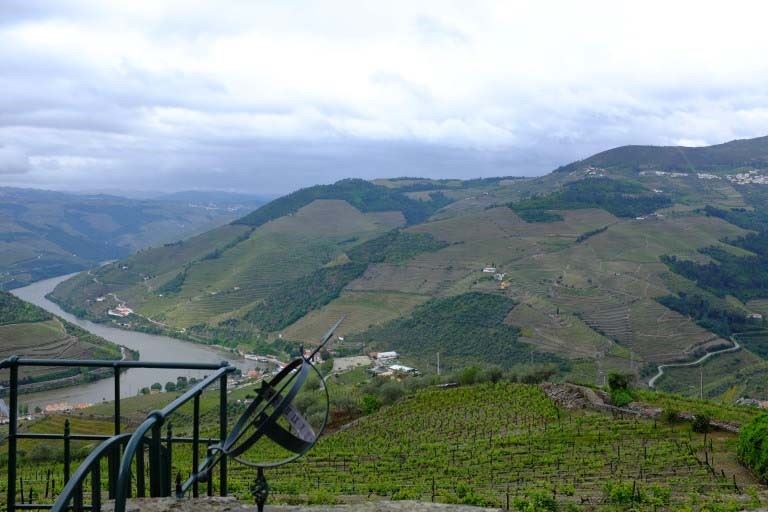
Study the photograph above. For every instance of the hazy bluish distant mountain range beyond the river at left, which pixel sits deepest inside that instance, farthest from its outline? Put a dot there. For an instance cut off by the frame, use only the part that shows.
(45, 233)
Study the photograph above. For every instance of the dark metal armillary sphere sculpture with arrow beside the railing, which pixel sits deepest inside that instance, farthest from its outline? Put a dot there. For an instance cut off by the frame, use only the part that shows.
(275, 428)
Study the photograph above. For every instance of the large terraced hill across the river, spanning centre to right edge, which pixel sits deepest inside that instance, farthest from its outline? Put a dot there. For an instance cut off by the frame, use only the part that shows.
(623, 261)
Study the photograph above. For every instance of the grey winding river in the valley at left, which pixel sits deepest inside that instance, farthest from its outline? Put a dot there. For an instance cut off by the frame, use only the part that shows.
(151, 347)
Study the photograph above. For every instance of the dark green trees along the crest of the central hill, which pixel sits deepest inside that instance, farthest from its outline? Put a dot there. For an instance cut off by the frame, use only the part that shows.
(363, 195)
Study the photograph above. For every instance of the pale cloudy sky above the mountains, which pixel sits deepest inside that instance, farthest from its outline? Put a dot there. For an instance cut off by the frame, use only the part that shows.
(269, 96)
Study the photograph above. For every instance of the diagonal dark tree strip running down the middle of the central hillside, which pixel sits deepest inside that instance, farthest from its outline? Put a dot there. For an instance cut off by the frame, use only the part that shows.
(296, 298)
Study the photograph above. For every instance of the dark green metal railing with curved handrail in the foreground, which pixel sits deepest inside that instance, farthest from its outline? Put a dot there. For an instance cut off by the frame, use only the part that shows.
(111, 447)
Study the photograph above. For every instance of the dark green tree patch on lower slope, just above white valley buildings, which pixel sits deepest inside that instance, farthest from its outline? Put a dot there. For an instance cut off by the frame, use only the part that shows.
(465, 328)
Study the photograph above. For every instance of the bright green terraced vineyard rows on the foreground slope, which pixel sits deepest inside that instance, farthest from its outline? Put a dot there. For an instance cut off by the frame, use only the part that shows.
(504, 445)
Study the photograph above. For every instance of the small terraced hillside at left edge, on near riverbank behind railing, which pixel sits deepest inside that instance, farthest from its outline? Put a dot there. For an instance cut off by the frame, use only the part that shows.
(27, 330)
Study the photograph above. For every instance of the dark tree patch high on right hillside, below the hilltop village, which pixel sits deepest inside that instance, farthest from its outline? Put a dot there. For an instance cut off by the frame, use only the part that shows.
(621, 198)
